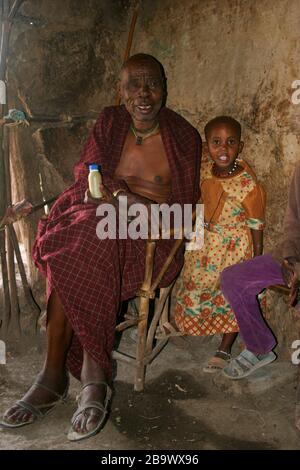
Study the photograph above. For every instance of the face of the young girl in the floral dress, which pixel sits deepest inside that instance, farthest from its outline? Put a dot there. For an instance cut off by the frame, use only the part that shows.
(224, 145)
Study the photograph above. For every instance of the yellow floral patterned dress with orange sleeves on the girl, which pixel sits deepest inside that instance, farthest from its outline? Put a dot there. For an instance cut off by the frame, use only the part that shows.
(232, 206)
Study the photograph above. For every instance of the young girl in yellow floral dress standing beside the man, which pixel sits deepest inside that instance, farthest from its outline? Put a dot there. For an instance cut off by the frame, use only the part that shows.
(234, 206)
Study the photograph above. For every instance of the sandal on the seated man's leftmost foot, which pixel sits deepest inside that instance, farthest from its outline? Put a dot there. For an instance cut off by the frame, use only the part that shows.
(36, 411)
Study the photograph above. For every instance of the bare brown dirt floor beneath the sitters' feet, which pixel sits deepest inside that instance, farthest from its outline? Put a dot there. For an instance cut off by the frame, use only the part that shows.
(182, 408)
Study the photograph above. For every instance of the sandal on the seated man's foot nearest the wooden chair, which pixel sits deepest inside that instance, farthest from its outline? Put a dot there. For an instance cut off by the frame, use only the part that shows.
(103, 407)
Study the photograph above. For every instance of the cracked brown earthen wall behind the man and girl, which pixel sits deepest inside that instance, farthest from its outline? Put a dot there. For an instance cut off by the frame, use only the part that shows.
(236, 57)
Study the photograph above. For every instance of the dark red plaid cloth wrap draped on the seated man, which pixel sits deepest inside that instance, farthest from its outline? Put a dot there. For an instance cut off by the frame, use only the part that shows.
(93, 276)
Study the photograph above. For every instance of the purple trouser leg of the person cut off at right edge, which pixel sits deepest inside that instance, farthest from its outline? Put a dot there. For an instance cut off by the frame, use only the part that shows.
(241, 284)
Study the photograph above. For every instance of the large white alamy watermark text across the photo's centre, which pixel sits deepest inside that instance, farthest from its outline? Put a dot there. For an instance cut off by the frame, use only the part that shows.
(139, 221)
